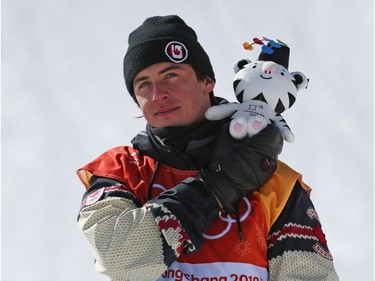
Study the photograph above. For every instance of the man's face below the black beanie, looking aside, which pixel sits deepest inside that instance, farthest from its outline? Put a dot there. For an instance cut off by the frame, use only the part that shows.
(170, 94)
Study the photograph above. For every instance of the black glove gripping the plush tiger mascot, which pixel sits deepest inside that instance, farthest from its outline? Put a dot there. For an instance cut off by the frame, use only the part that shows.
(239, 167)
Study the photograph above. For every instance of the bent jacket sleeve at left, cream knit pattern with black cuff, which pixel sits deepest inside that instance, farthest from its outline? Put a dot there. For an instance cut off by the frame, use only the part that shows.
(131, 241)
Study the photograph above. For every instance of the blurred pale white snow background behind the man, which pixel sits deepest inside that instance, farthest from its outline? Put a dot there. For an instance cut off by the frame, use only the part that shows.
(64, 102)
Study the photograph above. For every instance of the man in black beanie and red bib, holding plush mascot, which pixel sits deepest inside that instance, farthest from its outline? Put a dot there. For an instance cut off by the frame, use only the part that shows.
(187, 201)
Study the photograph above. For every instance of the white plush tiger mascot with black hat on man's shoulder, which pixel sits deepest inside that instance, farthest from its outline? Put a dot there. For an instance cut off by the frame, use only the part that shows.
(265, 89)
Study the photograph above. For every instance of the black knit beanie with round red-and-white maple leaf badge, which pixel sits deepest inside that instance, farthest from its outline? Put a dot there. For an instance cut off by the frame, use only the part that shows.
(163, 39)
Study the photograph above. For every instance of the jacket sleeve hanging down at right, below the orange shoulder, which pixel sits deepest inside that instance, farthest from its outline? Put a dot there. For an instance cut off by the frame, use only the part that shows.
(297, 247)
